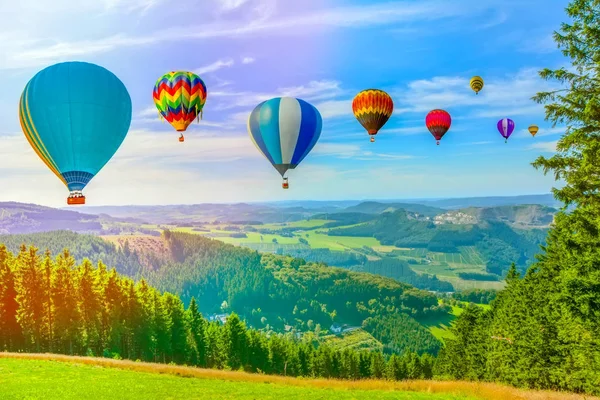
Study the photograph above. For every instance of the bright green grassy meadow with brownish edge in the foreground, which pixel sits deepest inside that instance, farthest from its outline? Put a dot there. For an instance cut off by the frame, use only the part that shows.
(49, 376)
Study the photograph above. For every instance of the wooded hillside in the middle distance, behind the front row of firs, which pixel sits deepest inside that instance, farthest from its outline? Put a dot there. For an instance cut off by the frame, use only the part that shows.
(268, 291)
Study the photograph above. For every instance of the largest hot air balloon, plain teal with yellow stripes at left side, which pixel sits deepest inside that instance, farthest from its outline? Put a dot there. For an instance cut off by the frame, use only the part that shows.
(75, 115)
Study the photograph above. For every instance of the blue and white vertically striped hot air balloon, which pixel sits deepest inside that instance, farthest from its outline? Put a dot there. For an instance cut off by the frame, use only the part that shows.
(285, 130)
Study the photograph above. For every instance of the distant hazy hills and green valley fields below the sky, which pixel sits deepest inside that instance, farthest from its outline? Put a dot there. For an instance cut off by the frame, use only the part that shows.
(429, 247)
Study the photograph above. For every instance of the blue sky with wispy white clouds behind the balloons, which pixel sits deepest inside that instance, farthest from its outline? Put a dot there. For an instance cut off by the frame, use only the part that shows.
(422, 52)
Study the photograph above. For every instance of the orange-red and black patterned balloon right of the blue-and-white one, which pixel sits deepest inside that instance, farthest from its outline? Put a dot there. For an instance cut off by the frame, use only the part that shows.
(372, 108)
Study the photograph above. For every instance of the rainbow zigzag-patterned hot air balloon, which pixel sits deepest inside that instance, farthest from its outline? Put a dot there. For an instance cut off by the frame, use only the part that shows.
(180, 97)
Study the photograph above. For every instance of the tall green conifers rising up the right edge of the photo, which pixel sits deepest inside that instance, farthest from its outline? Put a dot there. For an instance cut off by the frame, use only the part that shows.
(551, 313)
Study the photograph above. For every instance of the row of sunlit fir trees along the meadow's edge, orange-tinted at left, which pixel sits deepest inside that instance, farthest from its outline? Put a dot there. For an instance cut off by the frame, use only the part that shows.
(56, 305)
